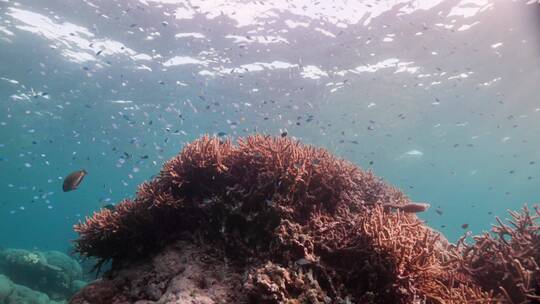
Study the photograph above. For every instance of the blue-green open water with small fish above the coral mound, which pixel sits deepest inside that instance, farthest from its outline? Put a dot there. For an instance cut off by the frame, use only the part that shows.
(439, 98)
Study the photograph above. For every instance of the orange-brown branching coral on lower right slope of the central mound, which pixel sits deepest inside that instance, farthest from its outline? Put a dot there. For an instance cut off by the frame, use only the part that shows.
(381, 257)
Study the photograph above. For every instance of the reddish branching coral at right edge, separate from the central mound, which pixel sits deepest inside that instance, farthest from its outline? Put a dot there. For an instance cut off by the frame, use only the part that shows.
(507, 260)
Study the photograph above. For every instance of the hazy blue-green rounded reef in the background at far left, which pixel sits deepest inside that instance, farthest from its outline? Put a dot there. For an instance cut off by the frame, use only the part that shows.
(49, 273)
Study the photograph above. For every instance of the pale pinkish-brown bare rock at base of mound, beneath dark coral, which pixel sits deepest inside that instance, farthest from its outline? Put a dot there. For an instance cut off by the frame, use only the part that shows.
(182, 273)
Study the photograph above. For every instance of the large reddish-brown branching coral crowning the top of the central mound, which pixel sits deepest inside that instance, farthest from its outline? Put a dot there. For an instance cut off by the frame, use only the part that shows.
(213, 184)
